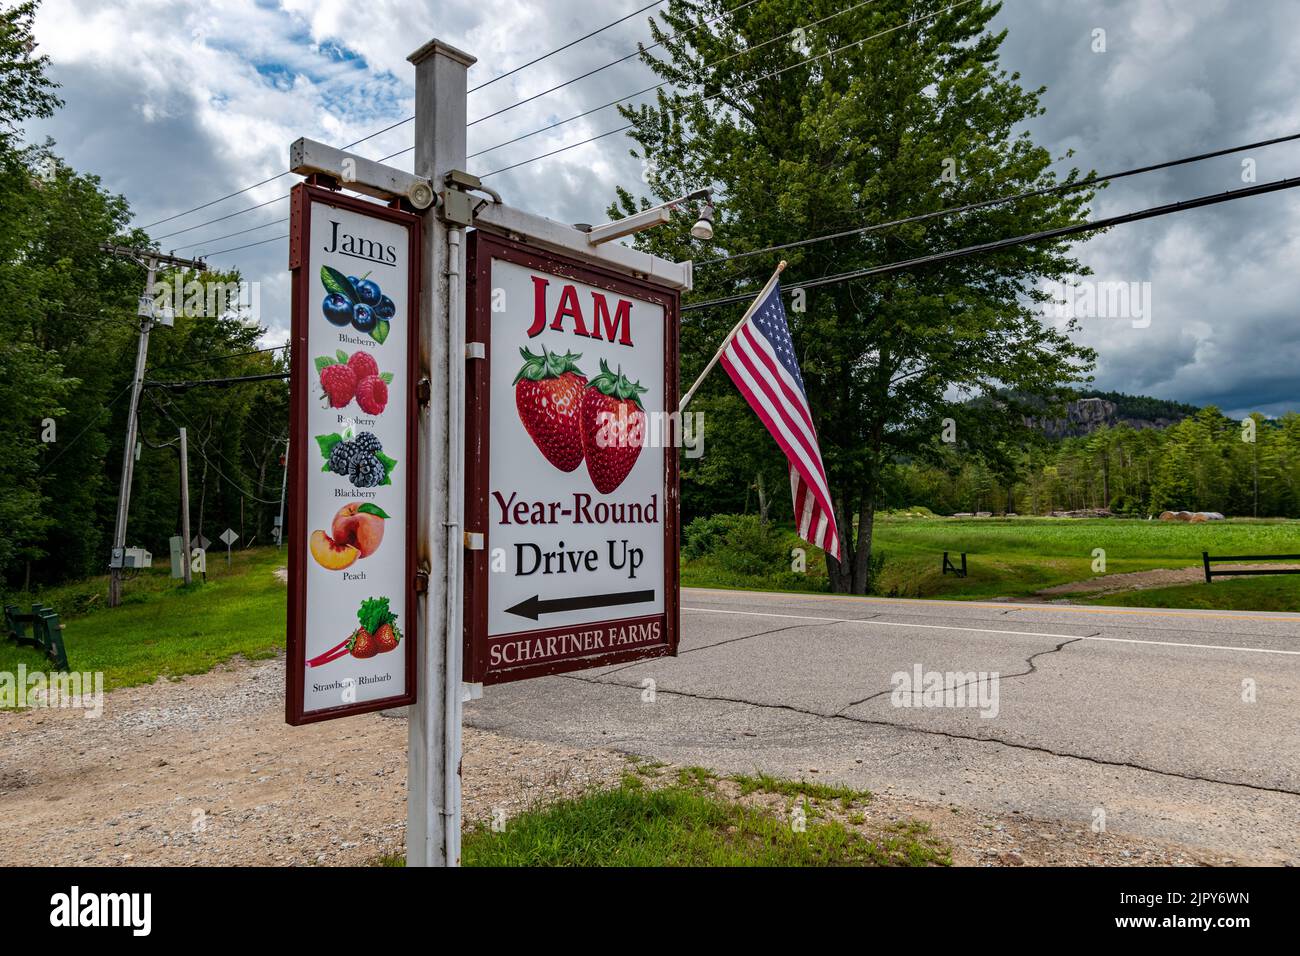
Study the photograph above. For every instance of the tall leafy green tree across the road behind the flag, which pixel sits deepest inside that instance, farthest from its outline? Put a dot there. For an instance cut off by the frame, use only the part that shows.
(882, 113)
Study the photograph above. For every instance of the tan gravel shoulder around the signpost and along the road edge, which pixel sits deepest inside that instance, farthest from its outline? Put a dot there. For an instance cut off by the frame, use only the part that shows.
(205, 772)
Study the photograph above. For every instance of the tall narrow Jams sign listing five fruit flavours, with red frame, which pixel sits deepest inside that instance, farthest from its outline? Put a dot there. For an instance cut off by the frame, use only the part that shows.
(353, 457)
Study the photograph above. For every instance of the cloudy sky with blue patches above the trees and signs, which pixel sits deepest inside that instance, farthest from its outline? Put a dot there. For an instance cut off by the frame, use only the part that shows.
(179, 102)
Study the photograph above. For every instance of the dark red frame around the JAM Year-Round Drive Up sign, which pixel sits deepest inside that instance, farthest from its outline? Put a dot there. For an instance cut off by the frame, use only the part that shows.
(483, 248)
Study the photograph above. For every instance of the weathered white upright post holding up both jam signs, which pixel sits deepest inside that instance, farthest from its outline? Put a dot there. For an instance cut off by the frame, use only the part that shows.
(434, 769)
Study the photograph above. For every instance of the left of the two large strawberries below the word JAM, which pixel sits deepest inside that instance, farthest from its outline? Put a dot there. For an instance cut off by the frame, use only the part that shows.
(549, 395)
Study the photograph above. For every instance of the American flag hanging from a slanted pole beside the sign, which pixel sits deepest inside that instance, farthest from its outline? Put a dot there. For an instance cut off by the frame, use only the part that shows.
(761, 361)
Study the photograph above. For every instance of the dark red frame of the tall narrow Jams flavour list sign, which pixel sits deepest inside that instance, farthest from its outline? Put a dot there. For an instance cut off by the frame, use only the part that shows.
(300, 388)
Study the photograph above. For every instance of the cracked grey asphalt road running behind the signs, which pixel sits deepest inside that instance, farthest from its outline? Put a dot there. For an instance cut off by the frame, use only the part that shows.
(1141, 716)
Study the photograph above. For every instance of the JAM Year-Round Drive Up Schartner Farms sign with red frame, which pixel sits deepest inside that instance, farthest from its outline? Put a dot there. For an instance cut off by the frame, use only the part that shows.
(571, 473)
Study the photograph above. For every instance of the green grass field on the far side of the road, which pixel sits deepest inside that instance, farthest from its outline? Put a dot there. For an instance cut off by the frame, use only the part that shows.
(1021, 556)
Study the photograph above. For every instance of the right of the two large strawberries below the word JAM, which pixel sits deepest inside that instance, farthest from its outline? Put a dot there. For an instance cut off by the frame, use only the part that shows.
(614, 427)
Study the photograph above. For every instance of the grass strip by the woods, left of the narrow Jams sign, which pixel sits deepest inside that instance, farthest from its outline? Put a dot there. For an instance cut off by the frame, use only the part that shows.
(164, 629)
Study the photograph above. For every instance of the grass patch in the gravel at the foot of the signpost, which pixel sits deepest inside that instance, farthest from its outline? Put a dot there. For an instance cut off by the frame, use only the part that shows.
(691, 824)
